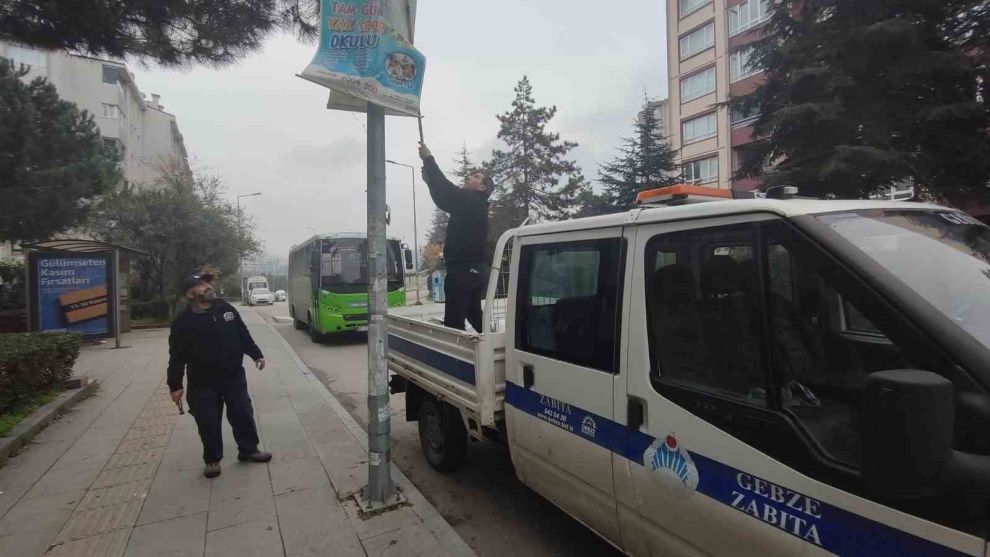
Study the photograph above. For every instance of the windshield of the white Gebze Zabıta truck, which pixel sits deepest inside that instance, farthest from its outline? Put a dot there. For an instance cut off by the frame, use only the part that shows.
(944, 256)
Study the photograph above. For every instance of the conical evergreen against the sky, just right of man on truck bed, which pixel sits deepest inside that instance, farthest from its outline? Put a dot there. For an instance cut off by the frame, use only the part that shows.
(534, 177)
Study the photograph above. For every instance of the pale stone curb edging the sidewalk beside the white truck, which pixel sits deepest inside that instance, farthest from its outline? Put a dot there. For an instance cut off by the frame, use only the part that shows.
(438, 526)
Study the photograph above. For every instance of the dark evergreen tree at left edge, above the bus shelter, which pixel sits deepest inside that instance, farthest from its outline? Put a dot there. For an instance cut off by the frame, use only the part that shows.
(53, 161)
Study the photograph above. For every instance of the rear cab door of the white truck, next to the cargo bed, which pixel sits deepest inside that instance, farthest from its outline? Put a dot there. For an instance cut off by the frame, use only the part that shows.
(567, 292)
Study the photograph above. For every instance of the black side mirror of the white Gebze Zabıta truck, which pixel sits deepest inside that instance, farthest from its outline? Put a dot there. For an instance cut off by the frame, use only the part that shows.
(908, 428)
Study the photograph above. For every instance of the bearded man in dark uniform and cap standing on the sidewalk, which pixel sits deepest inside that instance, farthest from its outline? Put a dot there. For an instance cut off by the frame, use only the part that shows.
(209, 340)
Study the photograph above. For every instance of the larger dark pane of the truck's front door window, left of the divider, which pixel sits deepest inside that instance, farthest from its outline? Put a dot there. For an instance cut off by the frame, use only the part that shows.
(703, 317)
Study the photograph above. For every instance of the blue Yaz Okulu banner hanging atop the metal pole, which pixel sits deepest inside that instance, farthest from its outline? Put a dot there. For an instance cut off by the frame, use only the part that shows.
(366, 55)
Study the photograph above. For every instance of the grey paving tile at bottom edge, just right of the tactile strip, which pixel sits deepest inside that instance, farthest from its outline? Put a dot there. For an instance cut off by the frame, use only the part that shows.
(179, 537)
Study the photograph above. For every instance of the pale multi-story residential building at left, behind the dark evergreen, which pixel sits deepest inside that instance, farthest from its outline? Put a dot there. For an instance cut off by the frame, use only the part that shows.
(145, 134)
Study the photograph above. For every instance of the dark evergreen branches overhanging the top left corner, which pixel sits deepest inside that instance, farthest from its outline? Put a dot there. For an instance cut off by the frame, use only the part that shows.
(176, 32)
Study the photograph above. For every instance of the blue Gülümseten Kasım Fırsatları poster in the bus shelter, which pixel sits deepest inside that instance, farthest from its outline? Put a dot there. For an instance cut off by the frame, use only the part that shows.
(72, 292)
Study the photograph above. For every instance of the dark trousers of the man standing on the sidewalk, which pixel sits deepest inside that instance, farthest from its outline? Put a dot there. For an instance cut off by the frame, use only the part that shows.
(206, 405)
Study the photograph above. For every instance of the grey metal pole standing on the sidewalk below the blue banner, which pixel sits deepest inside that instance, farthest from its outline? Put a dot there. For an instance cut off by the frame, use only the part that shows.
(380, 490)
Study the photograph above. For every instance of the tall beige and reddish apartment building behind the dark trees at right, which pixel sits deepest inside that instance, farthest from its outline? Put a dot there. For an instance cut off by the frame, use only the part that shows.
(708, 62)
